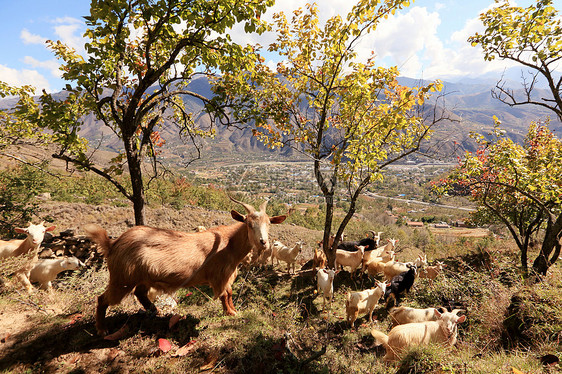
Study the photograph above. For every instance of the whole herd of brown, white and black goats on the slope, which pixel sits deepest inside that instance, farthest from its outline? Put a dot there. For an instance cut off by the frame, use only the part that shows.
(147, 261)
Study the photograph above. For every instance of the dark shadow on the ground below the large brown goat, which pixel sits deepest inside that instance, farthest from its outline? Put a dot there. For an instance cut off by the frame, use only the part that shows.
(40, 348)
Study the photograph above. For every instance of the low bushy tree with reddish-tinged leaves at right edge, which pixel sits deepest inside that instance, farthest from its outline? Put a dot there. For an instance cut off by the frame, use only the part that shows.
(520, 186)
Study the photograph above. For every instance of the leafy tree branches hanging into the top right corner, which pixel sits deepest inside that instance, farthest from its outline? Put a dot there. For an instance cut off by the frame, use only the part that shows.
(532, 37)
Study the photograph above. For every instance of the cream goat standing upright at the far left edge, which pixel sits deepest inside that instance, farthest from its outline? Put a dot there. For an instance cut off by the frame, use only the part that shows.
(29, 245)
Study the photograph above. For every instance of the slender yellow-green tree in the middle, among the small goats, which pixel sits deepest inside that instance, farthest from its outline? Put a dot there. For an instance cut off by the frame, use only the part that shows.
(351, 117)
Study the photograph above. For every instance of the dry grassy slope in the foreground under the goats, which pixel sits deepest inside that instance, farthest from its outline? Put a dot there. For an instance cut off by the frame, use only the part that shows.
(280, 326)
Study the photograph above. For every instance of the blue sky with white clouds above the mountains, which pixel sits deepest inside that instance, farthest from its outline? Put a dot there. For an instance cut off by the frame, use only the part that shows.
(427, 40)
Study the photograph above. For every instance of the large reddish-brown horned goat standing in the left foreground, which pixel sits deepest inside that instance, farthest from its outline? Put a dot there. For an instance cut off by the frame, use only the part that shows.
(144, 257)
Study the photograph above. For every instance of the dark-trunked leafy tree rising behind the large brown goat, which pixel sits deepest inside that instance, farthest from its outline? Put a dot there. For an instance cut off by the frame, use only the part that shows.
(141, 56)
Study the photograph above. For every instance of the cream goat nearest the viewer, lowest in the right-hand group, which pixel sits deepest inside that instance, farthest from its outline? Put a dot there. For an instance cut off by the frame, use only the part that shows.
(443, 330)
